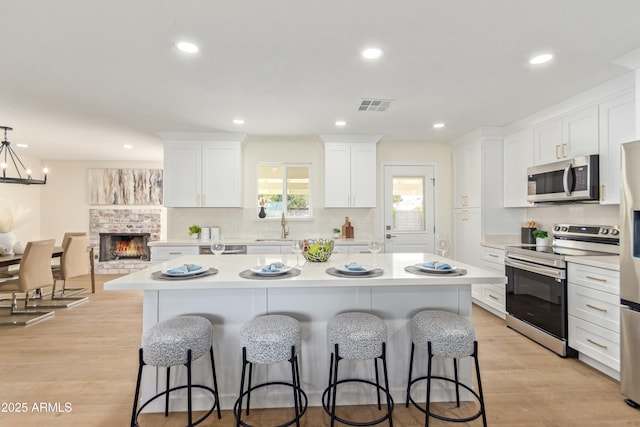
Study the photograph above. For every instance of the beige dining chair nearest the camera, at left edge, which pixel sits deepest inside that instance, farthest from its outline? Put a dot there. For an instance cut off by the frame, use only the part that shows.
(34, 273)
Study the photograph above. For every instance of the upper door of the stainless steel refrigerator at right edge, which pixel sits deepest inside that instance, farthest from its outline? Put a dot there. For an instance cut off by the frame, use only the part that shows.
(630, 226)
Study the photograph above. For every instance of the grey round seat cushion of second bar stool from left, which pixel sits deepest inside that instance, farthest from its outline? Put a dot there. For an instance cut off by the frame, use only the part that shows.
(269, 338)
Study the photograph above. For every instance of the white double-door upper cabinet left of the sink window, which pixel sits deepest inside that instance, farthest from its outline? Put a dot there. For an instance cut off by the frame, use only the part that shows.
(203, 173)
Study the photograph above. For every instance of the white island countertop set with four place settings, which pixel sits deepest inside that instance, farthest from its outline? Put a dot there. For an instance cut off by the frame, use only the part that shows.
(313, 274)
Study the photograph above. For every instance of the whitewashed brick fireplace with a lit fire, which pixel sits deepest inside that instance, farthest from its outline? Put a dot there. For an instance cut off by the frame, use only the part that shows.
(120, 237)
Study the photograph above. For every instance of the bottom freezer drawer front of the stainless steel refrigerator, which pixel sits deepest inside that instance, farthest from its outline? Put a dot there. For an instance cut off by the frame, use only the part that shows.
(630, 354)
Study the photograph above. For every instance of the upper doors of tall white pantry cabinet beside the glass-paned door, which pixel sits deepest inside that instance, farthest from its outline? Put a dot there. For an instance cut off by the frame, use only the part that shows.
(467, 160)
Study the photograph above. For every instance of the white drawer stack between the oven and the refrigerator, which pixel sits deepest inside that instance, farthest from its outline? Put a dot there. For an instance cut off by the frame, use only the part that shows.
(593, 303)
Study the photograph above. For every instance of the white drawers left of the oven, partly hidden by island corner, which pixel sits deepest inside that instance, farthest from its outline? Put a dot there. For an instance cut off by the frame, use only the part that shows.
(491, 297)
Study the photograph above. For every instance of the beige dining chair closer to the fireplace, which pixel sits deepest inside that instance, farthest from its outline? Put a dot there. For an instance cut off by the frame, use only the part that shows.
(73, 263)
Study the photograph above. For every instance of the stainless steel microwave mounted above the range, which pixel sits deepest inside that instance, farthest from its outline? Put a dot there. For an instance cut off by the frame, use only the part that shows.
(576, 179)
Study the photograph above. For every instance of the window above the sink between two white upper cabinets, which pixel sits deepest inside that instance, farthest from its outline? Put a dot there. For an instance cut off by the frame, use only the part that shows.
(284, 187)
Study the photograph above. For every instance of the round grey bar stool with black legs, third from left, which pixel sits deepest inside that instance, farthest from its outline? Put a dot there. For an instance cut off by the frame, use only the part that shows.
(357, 336)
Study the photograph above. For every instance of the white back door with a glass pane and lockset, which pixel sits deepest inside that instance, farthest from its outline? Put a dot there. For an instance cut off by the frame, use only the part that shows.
(409, 208)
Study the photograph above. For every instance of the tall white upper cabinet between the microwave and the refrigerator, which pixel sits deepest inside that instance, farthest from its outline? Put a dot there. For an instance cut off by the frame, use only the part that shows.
(617, 126)
